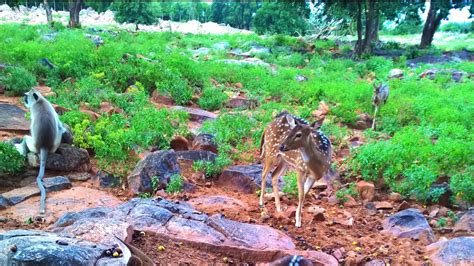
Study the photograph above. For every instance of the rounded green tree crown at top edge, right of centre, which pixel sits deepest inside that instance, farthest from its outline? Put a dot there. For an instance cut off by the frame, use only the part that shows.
(281, 17)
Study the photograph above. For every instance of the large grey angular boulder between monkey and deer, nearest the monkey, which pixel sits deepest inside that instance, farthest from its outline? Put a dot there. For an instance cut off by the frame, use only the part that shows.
(160, 165)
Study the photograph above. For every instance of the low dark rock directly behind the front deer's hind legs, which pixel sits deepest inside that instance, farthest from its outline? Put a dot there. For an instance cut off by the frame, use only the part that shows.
(245, 178)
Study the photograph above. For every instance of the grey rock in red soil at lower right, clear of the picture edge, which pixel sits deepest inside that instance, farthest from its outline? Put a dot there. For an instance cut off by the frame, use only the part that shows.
(409, 223)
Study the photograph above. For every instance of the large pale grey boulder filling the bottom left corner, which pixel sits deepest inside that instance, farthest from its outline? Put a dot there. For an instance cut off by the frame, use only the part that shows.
(32, 247)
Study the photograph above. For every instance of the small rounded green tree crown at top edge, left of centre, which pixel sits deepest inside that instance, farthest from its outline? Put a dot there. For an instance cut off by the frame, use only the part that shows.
(136, 12)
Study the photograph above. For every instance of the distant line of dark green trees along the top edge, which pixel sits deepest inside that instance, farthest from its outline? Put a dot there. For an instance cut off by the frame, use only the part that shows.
(364, 18)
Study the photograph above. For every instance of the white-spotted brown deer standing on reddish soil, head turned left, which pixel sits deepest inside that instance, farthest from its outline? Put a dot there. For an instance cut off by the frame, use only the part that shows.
(290, 141)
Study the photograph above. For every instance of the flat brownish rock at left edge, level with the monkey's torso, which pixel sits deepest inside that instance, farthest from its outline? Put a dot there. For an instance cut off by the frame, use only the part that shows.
(13, 118)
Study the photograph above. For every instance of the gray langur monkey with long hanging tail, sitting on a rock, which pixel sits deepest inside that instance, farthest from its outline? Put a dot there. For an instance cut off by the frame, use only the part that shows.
(46, 132)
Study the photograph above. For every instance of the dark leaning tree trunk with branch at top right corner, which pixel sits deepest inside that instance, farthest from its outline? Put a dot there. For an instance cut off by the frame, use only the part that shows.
(439, 10)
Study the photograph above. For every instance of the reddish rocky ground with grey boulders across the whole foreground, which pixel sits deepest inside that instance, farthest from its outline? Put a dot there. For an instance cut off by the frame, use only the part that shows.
(212, 220)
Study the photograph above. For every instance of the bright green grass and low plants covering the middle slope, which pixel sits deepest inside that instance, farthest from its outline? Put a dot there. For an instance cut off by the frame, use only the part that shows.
(424, 130)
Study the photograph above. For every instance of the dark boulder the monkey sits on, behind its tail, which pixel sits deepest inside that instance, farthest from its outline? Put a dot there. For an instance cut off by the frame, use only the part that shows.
(66, 158)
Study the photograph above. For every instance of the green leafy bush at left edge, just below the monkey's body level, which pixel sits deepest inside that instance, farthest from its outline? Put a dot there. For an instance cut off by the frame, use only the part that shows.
(11, 161)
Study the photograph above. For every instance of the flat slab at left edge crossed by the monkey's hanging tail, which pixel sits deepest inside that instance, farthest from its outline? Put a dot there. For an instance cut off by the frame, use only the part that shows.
(51, 184)
